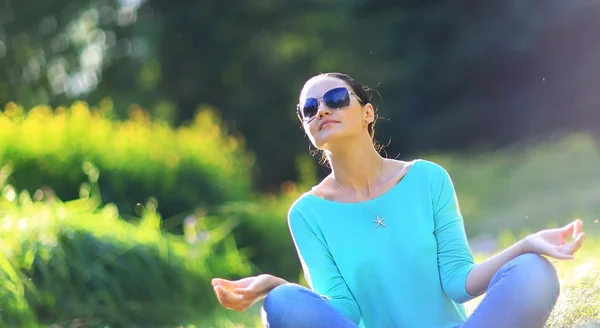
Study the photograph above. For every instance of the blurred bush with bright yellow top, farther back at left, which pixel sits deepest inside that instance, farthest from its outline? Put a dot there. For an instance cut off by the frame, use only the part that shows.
(183, 169)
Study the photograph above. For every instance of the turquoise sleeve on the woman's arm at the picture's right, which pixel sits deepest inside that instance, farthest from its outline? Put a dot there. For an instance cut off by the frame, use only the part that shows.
(455, 259)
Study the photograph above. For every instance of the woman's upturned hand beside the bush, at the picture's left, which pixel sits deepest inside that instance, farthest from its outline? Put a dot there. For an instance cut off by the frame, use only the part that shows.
(241, 294)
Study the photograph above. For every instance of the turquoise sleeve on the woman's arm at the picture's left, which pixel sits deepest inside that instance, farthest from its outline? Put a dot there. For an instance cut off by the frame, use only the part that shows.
(320, 269)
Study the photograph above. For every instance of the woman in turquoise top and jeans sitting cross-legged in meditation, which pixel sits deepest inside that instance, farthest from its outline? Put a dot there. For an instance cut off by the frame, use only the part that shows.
(382, 242)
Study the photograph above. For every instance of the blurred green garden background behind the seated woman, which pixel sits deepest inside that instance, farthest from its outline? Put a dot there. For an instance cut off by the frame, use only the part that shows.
(147, 146)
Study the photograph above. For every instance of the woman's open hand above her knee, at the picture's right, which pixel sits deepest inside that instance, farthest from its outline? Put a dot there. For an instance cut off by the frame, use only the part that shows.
(553, 242)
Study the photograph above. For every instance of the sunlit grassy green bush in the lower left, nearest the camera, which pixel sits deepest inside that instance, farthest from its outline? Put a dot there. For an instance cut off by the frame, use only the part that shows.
(77, 262)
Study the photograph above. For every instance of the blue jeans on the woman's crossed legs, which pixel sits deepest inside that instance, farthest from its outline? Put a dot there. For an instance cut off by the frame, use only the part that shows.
(521, 294)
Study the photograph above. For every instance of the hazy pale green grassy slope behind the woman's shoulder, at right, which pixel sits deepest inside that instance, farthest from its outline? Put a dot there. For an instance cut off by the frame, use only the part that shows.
(528, 187)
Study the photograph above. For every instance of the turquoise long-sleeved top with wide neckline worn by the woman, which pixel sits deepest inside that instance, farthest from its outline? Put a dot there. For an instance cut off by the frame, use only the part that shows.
(411, 273)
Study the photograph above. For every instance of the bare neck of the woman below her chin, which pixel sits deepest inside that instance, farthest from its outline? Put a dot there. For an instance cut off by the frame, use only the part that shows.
(357, 166)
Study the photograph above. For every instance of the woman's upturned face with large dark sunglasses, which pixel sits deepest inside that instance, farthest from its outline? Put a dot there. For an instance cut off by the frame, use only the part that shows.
(324, 124)
